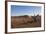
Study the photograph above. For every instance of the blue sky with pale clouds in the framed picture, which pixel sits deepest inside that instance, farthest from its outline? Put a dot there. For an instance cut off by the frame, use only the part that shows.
(17, 10)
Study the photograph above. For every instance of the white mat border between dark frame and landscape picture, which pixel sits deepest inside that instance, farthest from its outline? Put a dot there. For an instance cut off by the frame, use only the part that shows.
(24, 29)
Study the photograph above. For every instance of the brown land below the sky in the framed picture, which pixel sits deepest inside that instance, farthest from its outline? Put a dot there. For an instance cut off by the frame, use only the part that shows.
(25, 21)
